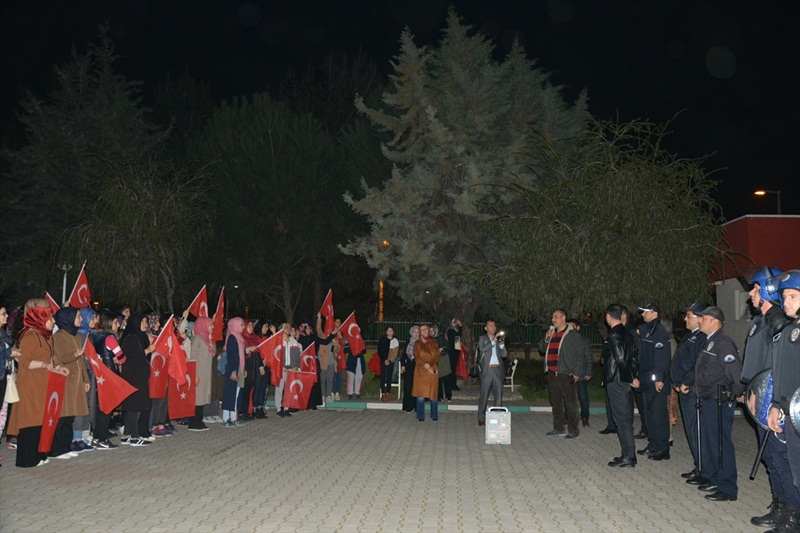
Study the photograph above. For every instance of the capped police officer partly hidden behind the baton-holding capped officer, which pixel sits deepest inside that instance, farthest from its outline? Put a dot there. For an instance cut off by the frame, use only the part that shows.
(682, 376)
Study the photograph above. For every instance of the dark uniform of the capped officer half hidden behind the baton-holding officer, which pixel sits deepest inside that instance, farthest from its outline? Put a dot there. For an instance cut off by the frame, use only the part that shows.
(682, 373)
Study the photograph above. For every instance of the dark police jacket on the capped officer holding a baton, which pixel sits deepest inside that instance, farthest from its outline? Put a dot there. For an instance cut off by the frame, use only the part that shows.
(718, 363)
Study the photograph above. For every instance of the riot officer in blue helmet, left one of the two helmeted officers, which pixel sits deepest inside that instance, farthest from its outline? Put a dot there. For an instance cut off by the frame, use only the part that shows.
(757, 358)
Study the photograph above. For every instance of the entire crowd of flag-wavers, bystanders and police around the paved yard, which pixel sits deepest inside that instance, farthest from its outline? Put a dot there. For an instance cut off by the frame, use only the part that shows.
(707, 378)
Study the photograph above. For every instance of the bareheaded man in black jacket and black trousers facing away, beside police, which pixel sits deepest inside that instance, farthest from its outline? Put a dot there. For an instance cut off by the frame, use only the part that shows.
(621, 373)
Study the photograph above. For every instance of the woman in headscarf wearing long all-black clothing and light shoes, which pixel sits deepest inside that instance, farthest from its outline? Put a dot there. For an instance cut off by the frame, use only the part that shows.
(136, 371)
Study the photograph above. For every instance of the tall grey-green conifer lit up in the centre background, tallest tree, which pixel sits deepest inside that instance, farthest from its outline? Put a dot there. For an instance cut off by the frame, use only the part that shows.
(459, 124)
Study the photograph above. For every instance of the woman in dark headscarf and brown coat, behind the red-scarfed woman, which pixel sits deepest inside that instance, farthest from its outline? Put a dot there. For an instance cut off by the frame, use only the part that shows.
(68, 352)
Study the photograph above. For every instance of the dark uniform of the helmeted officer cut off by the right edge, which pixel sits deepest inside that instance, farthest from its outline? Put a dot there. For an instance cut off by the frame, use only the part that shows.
(786, 380)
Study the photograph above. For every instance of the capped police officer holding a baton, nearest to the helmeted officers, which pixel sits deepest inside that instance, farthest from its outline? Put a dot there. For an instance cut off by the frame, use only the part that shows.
(718, 374)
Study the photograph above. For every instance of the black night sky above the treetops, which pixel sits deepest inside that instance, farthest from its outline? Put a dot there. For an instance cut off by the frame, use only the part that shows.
(732, 69)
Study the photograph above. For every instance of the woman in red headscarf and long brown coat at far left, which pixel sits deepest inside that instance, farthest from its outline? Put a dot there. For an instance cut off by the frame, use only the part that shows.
(35, 363)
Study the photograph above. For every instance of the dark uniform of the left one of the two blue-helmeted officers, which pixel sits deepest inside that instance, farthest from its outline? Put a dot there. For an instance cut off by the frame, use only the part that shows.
(758, 356)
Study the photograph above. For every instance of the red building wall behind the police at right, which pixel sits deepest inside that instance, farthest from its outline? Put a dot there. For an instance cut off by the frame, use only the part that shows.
(758, 240)
